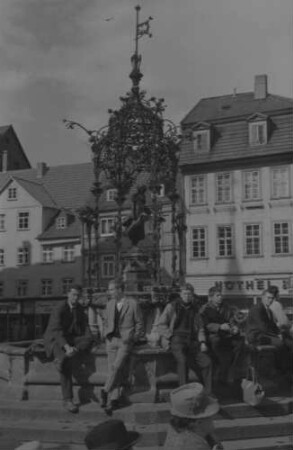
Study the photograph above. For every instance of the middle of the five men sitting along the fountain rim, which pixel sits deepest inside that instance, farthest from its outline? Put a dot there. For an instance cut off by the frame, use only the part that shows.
(181, 326)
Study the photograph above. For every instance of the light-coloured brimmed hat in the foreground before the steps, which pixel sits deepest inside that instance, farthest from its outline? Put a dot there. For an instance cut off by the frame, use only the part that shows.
(191, 401)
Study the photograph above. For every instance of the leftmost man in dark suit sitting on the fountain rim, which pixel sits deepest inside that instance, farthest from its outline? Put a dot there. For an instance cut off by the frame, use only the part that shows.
(67, 334)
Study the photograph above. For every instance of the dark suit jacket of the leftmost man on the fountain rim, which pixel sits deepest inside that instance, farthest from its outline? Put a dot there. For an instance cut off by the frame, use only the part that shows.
(62, 325)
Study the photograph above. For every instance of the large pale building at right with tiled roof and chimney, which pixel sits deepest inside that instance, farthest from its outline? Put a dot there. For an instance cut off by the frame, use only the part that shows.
(237, 171)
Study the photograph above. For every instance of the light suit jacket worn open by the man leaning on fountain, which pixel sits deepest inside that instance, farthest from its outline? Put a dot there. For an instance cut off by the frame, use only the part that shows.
(130, 320)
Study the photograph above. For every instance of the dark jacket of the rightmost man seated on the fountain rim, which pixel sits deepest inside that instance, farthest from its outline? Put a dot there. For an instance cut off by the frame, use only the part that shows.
(260, 325)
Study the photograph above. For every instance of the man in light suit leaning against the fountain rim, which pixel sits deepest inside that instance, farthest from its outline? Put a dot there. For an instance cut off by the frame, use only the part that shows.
(123, 327)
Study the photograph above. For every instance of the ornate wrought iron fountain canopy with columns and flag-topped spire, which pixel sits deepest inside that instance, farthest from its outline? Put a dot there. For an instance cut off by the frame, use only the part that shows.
(137, 139)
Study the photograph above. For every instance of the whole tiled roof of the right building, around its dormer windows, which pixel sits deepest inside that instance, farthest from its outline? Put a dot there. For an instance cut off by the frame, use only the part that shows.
(230, 137)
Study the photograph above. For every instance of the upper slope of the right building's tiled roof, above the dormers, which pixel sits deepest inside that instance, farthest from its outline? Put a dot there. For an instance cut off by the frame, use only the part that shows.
(230, 106)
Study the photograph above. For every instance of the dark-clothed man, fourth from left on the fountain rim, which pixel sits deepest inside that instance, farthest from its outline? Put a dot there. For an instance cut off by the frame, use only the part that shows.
(225, 341)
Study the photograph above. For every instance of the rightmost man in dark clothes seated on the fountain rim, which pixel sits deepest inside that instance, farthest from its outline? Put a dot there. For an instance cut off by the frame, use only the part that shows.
(262, 329)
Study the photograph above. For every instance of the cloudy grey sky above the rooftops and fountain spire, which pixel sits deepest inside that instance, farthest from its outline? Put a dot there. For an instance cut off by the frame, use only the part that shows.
(71, 59)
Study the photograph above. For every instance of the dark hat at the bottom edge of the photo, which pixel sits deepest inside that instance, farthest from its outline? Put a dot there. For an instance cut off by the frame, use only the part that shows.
(110, 435)
